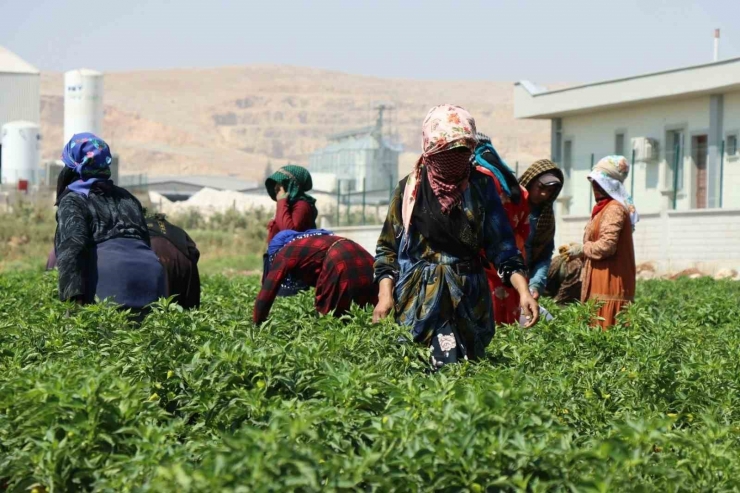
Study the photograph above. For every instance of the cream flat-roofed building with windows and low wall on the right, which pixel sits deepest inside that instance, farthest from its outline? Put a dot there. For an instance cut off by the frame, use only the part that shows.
(682, 127)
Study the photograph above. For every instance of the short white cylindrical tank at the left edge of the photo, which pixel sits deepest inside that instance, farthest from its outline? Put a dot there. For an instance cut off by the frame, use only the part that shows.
(19, 156)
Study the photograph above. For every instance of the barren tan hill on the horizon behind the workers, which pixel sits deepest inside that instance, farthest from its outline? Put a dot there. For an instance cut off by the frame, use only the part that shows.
(234, 120)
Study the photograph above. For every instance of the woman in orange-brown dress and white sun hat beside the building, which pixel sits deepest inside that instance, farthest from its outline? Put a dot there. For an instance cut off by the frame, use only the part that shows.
(609, 273)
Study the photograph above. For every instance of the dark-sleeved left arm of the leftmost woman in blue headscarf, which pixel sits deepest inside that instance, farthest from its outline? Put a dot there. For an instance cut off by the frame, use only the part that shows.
(72, 242)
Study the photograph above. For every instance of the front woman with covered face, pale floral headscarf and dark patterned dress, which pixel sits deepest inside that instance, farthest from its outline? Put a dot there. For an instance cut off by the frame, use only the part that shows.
(428, 260)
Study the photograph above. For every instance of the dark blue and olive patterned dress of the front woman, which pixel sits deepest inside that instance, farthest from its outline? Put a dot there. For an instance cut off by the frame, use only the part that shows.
(444, 300)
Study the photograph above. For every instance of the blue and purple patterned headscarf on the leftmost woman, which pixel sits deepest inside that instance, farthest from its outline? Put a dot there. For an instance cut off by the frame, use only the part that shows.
(90, 157)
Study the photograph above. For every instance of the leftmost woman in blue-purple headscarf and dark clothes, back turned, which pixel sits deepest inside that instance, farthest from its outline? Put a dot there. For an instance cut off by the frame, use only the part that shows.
(102, 243)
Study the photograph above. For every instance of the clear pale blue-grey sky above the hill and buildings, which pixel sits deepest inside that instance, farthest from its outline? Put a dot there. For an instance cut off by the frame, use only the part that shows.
(539, 40)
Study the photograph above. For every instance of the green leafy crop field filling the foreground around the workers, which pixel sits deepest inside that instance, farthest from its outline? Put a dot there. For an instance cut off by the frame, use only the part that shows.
(206, 401)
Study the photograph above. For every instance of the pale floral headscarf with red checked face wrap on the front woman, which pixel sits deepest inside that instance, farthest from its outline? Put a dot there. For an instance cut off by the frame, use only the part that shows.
(445, 127)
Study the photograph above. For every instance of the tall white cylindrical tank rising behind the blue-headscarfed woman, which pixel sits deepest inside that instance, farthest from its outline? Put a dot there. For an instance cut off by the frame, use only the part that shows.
(83, 103)
